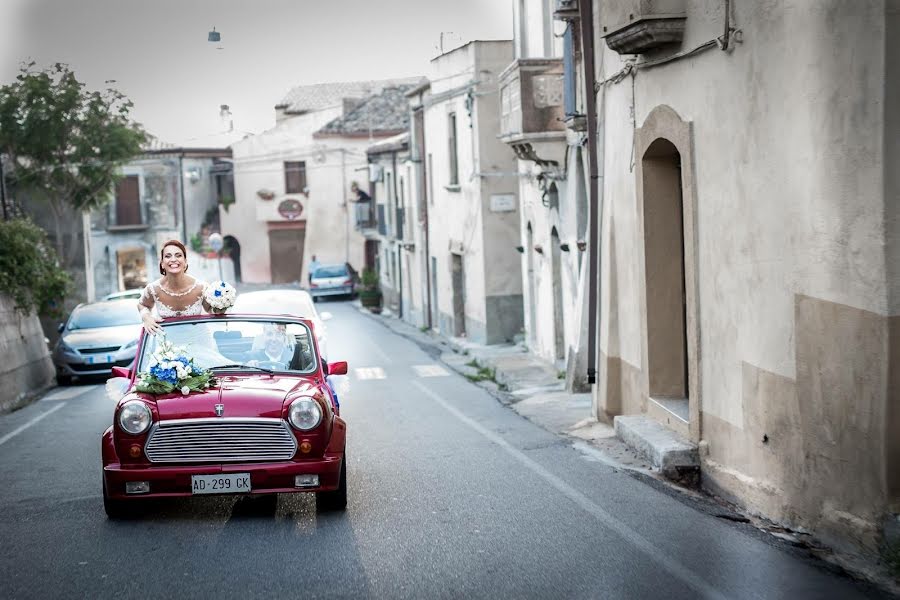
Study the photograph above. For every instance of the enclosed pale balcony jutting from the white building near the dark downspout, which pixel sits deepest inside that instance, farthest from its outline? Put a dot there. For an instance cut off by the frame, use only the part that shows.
(532, 108)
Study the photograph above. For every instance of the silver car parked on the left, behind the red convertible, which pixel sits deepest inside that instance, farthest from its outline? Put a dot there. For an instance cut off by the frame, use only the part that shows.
(96, 337)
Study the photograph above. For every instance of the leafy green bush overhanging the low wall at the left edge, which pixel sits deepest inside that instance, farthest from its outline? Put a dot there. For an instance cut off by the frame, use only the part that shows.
(29, 269)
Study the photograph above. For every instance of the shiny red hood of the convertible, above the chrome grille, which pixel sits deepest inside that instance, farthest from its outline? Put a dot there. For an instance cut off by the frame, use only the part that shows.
(240, 396)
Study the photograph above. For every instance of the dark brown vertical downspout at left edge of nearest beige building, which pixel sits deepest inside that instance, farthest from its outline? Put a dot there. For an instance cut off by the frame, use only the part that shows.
(595, 201)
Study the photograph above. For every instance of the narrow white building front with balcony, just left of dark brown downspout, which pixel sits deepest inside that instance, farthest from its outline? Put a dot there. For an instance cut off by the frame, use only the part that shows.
(542, 122)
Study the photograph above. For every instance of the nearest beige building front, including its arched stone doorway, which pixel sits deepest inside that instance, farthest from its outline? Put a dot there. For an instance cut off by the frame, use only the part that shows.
(749, 297)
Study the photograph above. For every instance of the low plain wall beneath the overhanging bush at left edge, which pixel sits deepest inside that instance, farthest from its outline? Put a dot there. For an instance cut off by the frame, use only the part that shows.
(26, 367)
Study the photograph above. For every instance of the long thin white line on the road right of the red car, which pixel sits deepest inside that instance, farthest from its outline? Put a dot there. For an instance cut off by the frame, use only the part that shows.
(673, 566)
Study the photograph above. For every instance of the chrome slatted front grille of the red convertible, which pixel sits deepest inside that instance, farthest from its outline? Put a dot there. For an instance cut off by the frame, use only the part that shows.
(220, 441)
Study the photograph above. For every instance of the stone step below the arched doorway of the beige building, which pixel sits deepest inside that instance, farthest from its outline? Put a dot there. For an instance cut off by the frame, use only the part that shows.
(676, 458)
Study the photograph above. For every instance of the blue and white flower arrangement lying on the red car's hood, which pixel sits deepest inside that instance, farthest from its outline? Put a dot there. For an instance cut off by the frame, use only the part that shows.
(172, 370)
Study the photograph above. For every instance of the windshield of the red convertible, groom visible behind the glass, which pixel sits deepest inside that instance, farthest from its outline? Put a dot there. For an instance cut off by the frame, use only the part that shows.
(230, 343)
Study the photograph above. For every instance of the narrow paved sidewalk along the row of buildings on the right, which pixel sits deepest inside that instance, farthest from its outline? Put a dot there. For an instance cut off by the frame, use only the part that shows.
(532, 387)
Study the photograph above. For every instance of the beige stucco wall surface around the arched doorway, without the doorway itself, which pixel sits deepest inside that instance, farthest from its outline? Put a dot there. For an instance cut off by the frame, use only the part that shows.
(795, 189)
